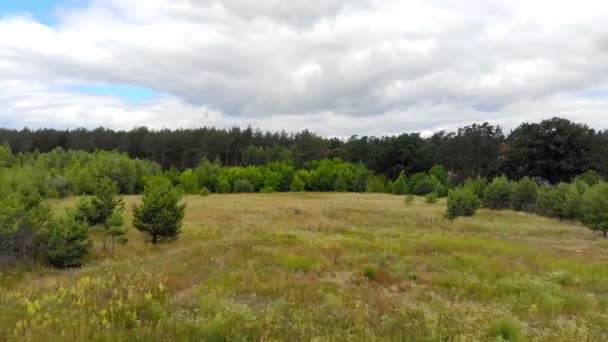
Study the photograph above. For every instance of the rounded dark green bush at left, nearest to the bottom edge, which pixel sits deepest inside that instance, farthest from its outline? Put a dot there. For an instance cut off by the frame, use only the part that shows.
(66, 242)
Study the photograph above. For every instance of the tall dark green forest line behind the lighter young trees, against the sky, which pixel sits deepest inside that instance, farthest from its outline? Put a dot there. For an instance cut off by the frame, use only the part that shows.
(553, 150)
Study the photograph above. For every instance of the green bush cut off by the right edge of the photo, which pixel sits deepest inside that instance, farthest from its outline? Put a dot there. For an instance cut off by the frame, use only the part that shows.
(595, 208)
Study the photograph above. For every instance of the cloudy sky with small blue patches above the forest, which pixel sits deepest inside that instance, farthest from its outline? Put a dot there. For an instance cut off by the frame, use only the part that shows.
(336, 67)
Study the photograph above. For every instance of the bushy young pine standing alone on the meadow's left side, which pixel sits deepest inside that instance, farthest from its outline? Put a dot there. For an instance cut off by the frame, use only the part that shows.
(160, 214)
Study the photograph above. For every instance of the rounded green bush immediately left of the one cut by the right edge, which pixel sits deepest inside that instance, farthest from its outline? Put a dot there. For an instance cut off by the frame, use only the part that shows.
(563, 201)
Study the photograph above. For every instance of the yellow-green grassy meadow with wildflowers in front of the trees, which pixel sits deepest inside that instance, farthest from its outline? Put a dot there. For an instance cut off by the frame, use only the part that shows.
(325, 267)
